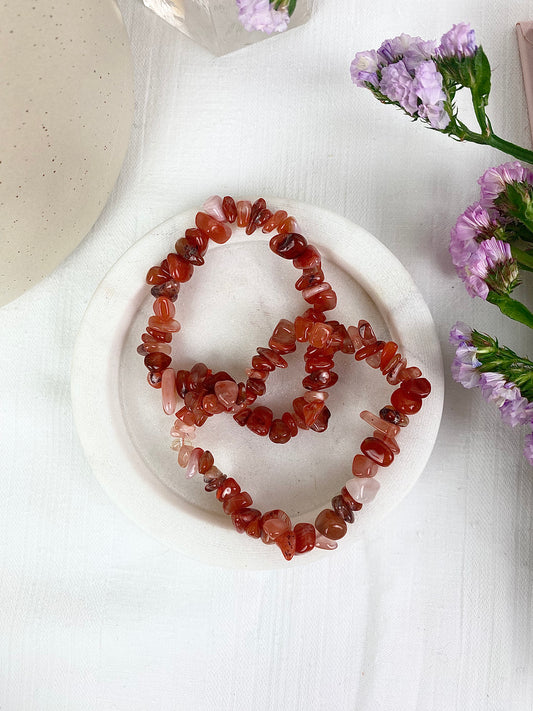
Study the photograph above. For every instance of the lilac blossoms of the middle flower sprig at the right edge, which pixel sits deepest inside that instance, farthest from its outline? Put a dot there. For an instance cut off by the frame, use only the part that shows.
(481, 260)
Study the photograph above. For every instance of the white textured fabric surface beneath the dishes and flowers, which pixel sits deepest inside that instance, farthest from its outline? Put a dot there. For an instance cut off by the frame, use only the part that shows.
(435, 612)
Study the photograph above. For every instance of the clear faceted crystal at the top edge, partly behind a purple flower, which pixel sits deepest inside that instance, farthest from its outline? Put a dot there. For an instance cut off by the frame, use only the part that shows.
(215, 23)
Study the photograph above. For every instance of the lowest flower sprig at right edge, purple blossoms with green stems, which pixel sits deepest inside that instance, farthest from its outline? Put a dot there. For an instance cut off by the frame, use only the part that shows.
(503, 377)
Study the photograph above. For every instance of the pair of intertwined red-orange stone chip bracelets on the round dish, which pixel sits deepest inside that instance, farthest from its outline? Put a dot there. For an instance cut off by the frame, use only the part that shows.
(206, 393)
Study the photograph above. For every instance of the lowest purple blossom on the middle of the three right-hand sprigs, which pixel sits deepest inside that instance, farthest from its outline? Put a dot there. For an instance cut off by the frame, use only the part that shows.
(491, 267)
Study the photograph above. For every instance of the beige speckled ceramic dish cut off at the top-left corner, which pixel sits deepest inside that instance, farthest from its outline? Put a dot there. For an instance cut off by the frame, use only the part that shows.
(66, 107)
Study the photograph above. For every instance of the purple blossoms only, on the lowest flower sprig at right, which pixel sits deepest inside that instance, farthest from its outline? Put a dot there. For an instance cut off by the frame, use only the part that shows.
(514, 408)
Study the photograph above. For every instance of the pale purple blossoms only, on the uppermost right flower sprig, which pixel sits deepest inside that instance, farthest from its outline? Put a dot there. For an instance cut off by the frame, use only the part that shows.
(405, 71)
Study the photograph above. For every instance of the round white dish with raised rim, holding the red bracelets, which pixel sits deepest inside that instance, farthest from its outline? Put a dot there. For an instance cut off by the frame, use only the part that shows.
(228, 309)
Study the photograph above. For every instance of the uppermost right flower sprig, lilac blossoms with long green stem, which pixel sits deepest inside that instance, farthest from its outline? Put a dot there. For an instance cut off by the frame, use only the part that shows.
(423, 77)
